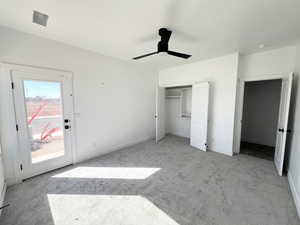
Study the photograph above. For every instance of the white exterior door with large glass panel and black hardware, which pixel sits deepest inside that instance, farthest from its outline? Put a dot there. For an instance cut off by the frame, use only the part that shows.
(44, 110)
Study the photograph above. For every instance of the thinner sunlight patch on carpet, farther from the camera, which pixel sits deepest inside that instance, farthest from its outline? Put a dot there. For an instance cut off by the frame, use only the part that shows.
(109, 173)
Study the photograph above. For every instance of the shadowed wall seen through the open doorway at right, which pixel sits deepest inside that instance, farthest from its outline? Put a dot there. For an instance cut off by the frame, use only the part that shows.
(261, 111)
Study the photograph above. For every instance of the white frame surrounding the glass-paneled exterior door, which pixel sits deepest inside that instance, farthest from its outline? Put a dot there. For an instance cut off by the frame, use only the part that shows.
(6, 70)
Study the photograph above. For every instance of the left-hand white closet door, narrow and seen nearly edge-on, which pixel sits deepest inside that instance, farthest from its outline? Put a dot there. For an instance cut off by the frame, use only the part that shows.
(160, 113)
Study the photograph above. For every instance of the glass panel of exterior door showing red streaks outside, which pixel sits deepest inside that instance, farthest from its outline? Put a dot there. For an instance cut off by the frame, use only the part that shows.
(43, 104)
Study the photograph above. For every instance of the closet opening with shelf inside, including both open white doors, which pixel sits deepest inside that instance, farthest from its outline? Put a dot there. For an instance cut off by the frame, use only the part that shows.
(183, 111)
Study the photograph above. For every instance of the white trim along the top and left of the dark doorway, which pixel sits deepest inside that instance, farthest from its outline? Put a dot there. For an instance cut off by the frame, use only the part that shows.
(240, 103)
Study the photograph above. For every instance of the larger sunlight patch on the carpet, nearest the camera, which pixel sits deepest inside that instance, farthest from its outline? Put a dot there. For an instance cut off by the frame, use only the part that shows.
(106, 210)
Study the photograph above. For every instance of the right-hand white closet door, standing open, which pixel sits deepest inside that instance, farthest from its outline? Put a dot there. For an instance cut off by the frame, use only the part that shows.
(199, 120)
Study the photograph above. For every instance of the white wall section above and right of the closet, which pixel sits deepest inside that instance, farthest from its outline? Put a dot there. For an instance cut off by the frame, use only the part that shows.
(221, 72)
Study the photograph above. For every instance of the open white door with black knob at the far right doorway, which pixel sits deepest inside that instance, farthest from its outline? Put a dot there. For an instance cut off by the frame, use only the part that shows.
(283, 122)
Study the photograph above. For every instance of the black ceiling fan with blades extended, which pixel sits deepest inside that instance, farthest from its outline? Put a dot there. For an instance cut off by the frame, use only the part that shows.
(163, 46)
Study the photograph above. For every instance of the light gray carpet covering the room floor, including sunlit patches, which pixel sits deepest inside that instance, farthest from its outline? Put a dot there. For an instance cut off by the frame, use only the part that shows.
(166, 184)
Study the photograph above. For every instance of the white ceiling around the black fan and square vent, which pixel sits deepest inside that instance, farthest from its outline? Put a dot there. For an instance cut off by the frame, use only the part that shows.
(124, 29)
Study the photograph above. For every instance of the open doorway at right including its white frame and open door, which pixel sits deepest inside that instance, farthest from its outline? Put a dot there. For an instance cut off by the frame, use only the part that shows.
(258, 114)
